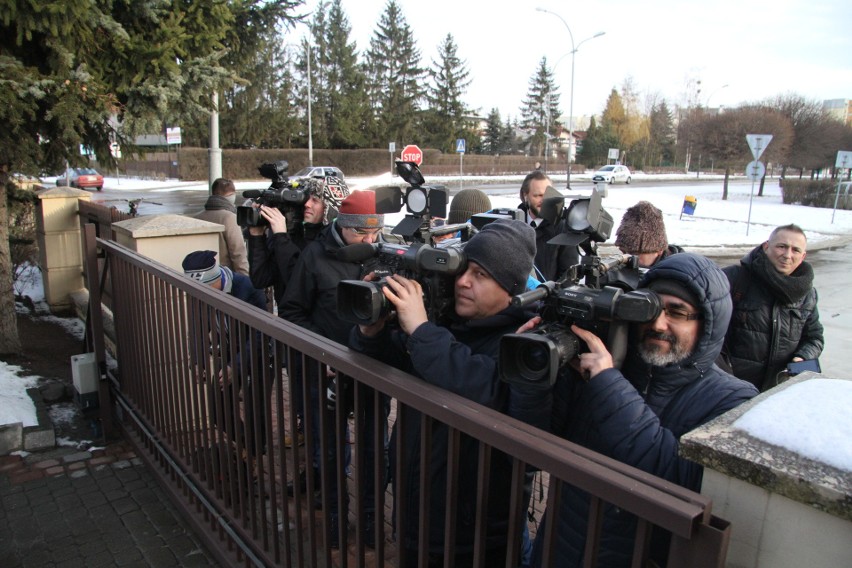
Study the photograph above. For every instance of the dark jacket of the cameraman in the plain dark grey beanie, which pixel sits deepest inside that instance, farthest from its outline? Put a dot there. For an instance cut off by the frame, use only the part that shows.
(461, 359)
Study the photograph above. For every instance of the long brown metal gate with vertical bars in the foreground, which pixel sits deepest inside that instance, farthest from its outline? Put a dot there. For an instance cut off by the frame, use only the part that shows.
(202, 386)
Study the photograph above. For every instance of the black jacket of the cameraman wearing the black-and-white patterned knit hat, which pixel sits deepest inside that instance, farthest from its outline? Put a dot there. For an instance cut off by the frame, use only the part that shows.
(273, 257)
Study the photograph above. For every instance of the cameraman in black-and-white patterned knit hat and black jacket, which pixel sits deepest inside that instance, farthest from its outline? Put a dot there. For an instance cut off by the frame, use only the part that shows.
(273, 251)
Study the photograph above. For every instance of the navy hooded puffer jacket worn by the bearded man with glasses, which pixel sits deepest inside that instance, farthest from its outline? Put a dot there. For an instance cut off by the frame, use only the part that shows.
(638, 415)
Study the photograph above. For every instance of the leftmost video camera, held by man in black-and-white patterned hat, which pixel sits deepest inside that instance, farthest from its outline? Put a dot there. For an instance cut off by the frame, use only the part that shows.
(287, 196)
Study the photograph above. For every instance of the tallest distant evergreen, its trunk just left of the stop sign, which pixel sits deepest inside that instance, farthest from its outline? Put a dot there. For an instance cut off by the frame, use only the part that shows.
(395, 77)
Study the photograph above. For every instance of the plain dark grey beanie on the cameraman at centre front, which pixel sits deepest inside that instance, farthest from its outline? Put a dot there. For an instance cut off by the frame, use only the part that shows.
(505, 248)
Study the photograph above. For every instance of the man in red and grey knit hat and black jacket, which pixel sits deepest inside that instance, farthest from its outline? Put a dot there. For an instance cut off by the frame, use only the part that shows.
(311, 302)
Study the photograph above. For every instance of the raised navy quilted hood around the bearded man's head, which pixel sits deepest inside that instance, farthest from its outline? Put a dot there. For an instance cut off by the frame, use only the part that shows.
(710, 285)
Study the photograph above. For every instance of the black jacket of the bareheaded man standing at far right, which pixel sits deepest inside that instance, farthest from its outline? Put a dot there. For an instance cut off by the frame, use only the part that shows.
(766, 330)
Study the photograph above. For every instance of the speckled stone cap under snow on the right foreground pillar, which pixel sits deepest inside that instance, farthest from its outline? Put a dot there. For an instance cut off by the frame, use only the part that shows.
(735, 453)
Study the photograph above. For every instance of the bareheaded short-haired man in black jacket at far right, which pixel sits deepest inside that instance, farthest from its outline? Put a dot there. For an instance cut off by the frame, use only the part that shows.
(776, 320)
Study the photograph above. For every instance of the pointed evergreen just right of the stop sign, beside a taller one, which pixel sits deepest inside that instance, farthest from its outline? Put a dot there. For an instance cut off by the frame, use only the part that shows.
(445, 116)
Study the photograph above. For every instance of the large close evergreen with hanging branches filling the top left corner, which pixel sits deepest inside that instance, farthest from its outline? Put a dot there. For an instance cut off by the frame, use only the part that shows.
(81, 72)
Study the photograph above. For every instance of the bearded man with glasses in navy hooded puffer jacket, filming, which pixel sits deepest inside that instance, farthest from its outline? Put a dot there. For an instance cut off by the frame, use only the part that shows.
(669, 385)
